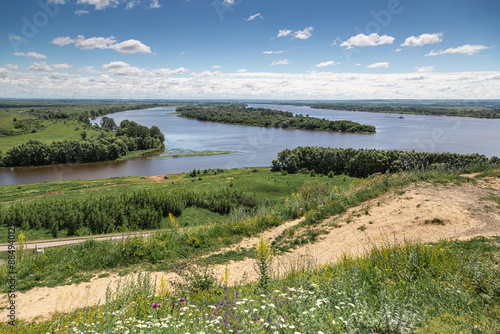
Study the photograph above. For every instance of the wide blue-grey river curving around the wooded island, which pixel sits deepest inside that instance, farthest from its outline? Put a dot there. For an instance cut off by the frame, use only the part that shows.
(259, 146)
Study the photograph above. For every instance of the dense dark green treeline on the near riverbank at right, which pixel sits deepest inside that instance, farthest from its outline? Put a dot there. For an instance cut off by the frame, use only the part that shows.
(364, 162)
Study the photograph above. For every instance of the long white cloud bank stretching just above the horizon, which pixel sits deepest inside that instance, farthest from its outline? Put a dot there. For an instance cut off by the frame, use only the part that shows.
(253, 85)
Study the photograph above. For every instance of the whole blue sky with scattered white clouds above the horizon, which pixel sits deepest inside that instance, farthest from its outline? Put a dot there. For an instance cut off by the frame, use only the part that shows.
(250, 49)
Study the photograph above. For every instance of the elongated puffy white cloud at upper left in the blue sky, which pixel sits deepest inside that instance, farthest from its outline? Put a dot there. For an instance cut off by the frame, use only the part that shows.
(128, 46)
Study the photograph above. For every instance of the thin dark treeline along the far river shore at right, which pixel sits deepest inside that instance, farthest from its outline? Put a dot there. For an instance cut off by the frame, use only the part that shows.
(481, 112)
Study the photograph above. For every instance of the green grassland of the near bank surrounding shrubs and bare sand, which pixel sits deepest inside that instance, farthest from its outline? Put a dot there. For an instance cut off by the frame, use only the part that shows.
(395, 287)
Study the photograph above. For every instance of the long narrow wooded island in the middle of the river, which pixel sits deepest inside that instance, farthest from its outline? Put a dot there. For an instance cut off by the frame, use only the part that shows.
(241, 115)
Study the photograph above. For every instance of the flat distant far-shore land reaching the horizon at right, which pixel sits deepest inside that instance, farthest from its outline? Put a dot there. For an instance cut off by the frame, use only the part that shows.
(455, 108)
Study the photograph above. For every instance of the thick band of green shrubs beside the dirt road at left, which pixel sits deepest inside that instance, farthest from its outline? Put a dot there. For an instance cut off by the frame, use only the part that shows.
(106, 214)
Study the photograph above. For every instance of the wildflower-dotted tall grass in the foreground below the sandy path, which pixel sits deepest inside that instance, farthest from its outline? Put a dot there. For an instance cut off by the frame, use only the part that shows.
(395, 287)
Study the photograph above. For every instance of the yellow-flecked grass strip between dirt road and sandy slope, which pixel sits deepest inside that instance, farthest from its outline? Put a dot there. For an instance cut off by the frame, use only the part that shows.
(76, 263)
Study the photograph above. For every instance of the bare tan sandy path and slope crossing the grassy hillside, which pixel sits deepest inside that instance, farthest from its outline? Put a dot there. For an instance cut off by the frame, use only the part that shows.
(427, 212)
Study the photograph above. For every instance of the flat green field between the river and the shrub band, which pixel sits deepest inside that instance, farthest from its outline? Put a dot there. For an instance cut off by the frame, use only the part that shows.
(259, 184)
